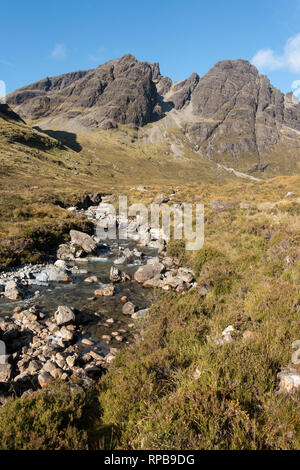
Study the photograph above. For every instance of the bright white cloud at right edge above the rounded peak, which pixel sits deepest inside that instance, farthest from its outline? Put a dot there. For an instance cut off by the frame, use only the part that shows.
(267, 59)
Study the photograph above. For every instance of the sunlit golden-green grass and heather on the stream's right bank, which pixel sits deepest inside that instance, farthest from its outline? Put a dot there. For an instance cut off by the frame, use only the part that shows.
(151, 392)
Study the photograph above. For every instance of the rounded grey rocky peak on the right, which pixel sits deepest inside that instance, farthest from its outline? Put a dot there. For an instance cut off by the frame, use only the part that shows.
(240, 111)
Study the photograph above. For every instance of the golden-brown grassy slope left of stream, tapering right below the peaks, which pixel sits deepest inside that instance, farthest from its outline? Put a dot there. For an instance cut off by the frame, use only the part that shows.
(39, 174)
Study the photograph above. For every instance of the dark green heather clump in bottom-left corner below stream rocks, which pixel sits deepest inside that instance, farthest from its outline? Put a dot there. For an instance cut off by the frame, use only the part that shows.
(50, 419)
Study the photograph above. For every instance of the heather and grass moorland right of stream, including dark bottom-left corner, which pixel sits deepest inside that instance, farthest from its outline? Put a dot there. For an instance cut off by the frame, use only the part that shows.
(177, 388)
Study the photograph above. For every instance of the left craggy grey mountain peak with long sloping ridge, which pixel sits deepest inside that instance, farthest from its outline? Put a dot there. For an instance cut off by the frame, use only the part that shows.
(119, 91)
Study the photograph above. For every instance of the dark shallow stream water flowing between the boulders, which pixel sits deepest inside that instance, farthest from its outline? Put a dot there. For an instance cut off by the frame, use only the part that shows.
(80, 295)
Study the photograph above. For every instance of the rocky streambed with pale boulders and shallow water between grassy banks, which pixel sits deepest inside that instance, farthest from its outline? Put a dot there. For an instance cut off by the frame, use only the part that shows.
(68, 319)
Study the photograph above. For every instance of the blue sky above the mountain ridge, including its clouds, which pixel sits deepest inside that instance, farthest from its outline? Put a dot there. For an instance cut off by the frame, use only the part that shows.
(42, 39)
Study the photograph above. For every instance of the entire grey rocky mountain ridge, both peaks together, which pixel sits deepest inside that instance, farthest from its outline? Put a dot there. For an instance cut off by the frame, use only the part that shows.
(233, 112)
